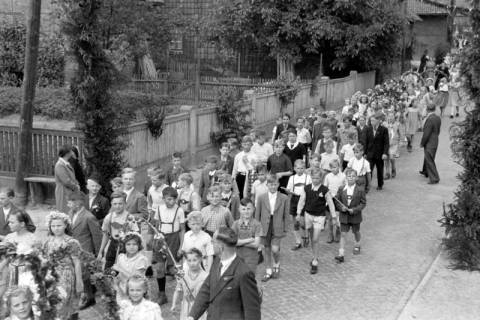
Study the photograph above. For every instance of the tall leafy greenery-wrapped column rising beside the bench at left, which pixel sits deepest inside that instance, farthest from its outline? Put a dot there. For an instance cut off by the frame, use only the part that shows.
(91, 89)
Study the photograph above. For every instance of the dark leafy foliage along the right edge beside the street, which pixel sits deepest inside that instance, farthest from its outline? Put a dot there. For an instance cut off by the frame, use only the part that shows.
(461, 219)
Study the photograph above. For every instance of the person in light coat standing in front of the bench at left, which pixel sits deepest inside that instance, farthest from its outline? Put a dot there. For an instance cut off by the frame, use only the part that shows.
(65, 181)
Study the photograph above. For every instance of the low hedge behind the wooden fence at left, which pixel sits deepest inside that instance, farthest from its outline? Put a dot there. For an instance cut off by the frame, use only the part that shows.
(55, 104)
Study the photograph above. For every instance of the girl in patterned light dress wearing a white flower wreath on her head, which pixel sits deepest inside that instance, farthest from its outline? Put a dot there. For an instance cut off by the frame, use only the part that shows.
(64, 252)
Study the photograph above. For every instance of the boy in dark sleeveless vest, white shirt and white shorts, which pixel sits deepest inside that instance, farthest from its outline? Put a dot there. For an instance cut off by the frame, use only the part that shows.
(314, 201)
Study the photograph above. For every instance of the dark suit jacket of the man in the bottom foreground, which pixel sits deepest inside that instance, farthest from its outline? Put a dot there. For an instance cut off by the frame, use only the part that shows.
(233, 296)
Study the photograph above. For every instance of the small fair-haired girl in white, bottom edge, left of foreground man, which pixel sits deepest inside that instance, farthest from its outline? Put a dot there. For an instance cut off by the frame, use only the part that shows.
(137, 307)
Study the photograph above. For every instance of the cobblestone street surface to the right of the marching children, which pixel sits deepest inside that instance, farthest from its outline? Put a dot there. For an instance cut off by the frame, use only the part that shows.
(401, 238)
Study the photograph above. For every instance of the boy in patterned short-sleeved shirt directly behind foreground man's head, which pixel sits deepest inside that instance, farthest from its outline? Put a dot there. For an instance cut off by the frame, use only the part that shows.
(248, 231)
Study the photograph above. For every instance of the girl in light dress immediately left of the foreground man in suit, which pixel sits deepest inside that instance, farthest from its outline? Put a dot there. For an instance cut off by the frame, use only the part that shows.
(190, 283)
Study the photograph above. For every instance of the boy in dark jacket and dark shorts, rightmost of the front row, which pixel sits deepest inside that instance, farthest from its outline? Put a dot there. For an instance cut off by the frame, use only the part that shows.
(351, 202)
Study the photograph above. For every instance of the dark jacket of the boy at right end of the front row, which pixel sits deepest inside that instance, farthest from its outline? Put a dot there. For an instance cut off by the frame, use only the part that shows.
(358, 203)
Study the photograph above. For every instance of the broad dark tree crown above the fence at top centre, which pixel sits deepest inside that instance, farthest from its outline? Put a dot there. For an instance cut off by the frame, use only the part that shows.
(360, 34)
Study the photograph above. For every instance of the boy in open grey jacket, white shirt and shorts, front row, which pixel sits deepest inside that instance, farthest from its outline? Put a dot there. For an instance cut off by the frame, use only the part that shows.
(272, 212)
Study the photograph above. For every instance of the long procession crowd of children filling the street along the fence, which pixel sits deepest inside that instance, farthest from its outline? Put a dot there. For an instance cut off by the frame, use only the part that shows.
(313, 176)
